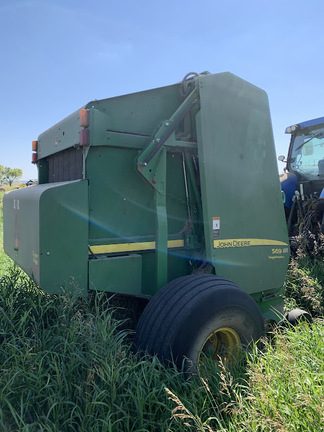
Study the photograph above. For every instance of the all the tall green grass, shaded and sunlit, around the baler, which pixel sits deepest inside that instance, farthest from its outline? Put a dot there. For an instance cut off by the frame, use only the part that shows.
(66, 364)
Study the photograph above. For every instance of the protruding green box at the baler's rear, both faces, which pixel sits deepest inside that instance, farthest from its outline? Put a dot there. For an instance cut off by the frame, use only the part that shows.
(47, 234)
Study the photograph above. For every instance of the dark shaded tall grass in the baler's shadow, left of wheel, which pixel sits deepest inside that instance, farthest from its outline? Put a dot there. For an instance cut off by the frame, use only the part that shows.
(66, 366)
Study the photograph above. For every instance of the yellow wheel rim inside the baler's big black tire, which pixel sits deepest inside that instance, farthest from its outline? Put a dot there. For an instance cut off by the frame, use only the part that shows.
(223, 344)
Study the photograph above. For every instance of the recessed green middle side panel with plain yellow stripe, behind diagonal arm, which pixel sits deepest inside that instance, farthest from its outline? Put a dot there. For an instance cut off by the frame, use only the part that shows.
(123, 216)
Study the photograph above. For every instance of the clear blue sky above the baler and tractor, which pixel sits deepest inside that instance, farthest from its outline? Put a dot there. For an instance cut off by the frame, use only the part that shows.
(56, 55)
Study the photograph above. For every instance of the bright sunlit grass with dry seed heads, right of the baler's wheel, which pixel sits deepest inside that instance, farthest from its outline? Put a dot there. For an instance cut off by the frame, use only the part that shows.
(282, 390)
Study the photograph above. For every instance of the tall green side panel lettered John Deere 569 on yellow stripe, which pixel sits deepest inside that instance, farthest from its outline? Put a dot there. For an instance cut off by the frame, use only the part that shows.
(242, 205)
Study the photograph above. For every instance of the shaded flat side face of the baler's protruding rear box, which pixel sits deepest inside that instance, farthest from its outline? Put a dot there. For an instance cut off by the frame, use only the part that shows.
(64, 222)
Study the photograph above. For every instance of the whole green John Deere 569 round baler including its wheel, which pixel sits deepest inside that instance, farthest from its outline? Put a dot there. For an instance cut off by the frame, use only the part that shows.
(171, 194)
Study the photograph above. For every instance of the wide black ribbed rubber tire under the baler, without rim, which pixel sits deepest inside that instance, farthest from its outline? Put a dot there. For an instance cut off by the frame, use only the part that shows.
(184, 313)
